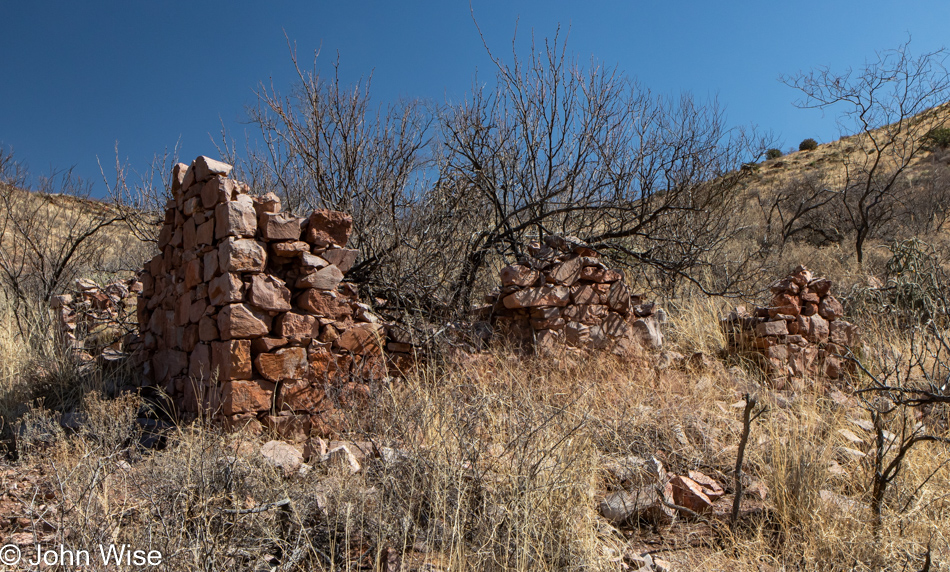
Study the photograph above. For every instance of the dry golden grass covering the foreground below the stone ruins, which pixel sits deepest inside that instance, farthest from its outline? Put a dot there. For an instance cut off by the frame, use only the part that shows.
(496, 462)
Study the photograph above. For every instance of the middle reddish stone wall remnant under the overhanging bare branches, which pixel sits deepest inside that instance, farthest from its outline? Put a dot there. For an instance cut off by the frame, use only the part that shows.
(563, 294)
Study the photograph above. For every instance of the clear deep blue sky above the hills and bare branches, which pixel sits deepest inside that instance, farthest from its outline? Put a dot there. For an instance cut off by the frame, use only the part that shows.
(77, 77)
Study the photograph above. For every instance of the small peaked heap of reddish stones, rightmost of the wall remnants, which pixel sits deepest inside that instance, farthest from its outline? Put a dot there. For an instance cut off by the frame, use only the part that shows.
(799, 336)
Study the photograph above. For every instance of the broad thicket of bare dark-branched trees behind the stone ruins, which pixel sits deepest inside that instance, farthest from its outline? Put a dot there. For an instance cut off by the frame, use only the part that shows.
(551, 147)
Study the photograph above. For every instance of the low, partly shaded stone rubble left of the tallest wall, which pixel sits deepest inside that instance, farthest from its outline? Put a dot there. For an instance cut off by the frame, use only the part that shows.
(98, 321)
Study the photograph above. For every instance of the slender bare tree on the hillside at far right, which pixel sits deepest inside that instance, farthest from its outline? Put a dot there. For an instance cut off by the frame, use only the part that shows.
(891, 104)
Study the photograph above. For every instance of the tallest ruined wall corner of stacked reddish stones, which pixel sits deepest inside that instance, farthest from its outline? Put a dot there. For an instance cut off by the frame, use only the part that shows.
(245, 312)
